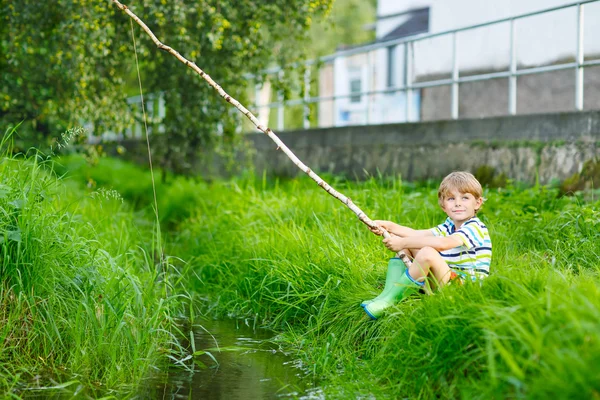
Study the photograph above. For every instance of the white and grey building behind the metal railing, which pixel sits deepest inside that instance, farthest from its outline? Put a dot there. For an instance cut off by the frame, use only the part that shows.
(442, 59)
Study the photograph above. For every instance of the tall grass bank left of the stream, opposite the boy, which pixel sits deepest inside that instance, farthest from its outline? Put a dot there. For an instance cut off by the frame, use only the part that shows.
(84, 305)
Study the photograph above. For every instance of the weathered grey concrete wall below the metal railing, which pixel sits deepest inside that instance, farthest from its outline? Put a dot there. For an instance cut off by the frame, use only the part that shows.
(553, 146)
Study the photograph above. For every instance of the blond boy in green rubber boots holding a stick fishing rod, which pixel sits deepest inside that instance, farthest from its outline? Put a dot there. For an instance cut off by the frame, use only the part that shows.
(460, 248)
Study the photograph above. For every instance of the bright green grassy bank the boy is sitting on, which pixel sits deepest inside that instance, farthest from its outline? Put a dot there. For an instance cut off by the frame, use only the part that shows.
(291, 257)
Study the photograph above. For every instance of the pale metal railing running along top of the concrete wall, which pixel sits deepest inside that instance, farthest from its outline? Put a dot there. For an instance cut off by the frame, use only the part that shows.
(410, 85)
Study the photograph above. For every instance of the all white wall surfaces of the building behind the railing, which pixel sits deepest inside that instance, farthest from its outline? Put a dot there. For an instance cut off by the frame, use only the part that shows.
(541, 40)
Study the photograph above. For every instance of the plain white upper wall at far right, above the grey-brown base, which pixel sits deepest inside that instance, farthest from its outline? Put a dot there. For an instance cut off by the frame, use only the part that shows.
(541, 40)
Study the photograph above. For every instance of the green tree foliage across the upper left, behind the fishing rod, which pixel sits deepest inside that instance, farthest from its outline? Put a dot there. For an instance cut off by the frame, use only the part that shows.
(72, 61)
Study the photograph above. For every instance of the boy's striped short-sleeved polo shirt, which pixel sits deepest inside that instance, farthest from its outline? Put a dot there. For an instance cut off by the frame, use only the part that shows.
(473, 258)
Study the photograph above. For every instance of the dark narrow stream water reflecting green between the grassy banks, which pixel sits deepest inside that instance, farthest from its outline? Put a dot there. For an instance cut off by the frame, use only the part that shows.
(249, 367)
